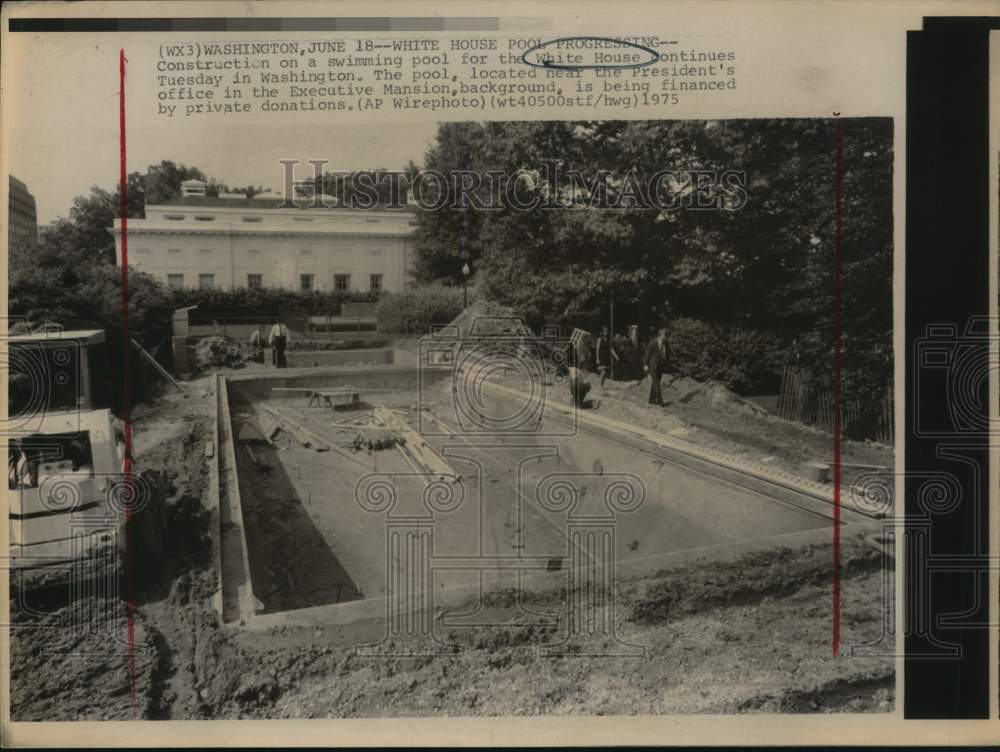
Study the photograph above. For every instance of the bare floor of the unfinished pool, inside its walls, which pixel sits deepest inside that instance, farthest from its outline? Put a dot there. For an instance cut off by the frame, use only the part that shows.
(317, 534)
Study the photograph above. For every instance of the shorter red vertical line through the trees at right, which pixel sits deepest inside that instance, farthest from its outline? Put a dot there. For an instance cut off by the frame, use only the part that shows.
(838, 332)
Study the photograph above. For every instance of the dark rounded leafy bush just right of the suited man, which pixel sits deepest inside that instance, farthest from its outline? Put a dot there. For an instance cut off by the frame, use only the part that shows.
(745, 360)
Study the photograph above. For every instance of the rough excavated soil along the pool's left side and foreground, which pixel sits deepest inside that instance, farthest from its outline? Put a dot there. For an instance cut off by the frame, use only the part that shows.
(750, 635)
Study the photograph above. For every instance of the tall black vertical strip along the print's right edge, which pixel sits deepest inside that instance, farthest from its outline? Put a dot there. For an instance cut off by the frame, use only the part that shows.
(947, 285)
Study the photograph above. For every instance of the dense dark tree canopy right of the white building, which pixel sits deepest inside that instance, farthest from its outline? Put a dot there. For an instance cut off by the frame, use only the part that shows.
(767, 264)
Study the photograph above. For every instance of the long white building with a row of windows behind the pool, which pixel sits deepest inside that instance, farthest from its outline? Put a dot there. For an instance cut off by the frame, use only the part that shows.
(231, 241)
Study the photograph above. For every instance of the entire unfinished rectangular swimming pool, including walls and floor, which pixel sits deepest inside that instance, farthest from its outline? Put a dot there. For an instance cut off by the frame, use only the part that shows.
(544, 491)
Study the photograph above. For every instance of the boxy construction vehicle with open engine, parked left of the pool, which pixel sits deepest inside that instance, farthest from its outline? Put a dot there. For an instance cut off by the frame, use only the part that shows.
(73, 509)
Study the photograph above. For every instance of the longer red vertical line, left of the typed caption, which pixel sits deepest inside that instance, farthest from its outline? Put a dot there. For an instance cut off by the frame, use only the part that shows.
(126, 396)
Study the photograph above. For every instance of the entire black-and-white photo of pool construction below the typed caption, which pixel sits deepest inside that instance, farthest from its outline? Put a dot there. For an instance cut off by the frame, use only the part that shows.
(454, 418)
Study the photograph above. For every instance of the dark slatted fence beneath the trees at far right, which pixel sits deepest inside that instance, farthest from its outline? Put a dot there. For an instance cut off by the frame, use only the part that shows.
(806, 400)
